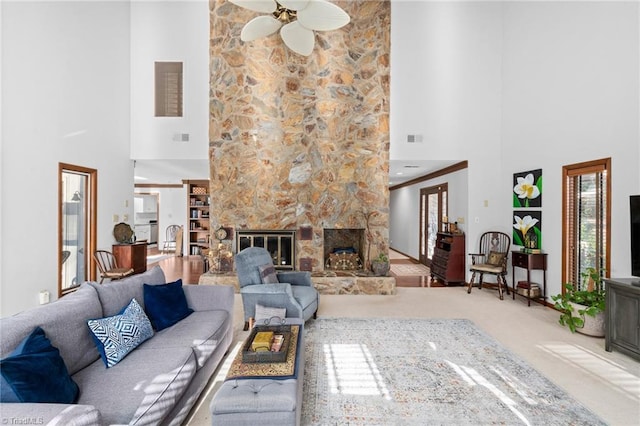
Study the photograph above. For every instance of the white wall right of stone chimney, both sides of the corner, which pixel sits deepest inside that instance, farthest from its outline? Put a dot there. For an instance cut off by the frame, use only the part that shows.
(515, 86)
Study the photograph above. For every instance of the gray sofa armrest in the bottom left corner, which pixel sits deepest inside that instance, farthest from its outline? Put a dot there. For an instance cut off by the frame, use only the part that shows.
(45, 414)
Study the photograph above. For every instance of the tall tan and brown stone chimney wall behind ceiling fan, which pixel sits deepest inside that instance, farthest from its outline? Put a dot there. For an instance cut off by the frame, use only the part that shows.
(301, 141)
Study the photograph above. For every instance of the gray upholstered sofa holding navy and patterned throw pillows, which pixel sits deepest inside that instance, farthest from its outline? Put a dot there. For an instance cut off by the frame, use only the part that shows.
(156, 383)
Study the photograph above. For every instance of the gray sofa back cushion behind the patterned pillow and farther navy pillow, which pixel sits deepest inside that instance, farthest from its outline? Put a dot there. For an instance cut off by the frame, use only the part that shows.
(116, 294)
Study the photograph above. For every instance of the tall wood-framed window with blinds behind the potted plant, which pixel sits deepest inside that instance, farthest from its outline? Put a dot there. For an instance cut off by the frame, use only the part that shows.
(586, 219)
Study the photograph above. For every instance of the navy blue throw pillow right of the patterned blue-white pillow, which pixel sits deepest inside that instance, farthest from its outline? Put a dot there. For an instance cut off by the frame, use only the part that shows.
(165, 304)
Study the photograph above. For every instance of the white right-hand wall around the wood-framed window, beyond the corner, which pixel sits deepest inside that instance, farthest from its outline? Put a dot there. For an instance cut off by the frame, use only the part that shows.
(570, 94)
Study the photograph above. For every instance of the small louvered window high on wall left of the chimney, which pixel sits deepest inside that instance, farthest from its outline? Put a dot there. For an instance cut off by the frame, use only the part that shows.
(168, 78)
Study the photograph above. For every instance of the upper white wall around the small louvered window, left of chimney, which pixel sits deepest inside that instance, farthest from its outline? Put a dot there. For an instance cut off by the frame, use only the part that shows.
(170, 31)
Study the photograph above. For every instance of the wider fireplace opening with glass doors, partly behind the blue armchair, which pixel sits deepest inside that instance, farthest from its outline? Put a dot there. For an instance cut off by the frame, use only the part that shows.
(280, 244)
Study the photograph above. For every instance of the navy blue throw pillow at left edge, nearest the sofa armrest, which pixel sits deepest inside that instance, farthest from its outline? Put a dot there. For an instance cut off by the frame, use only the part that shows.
(35, 372)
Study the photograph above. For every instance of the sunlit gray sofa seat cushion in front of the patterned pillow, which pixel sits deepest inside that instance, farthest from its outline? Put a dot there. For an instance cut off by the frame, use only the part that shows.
(141, 389)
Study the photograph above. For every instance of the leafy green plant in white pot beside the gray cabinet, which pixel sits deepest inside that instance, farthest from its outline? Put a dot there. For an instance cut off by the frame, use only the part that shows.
(582, 310)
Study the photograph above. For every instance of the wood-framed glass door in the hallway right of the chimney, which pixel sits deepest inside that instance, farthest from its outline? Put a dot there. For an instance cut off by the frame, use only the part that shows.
(433, 208)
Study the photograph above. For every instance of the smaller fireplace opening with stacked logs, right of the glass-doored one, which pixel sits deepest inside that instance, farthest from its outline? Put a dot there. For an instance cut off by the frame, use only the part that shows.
(344, 249)
